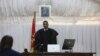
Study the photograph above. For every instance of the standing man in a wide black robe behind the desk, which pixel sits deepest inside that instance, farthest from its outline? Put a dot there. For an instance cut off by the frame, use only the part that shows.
(44, 37)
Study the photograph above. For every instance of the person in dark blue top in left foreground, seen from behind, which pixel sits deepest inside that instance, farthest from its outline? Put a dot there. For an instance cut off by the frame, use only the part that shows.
(6, 47)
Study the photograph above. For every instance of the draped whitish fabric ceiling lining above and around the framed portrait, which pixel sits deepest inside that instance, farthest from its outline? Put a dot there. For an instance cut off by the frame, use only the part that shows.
(66, 7)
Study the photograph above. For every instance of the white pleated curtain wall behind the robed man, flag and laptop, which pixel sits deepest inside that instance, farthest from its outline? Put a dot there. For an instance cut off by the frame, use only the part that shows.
(87, 36)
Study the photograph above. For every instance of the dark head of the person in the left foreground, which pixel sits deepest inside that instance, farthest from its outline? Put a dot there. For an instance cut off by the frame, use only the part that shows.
(6, 42)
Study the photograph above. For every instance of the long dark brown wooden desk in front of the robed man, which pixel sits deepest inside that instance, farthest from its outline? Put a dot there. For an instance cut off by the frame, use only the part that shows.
(61, 54)
